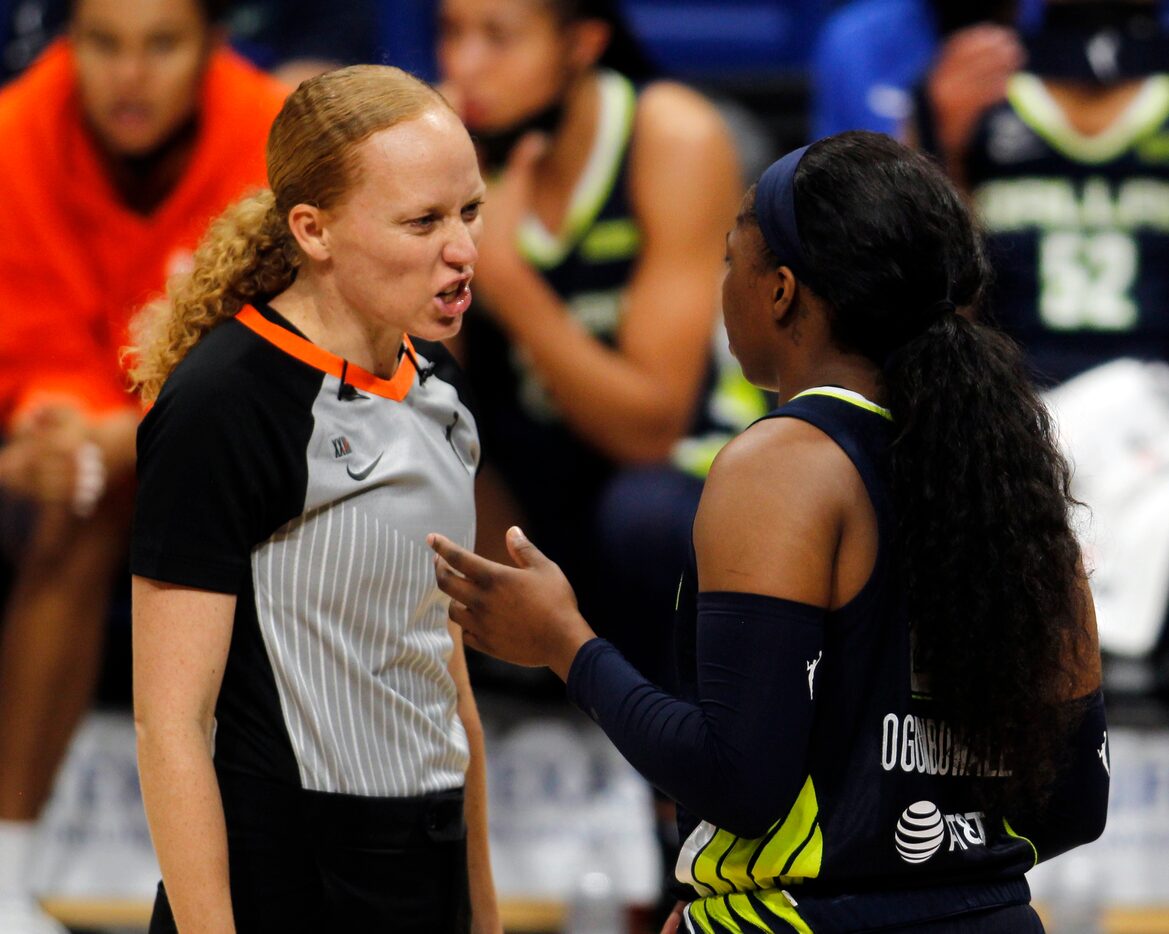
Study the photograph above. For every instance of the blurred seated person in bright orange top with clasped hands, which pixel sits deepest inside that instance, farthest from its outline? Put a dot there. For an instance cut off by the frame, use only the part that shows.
(121, 143)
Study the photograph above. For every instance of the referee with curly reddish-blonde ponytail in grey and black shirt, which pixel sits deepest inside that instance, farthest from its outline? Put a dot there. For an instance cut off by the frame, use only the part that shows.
(305, 717)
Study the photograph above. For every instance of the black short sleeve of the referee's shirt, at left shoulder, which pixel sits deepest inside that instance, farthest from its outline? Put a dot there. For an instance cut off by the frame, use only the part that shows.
(218, 474)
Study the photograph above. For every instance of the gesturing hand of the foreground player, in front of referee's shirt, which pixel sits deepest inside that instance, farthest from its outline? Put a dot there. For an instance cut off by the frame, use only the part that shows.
(525, 614)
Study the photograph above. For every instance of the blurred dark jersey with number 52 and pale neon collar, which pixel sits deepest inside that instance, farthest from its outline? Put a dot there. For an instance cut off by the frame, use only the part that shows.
(1078, 227)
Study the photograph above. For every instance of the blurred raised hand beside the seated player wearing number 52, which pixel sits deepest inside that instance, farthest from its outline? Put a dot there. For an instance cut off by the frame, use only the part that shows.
(970, 77)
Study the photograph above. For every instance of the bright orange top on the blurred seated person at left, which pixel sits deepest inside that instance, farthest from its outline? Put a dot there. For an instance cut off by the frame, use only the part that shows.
(75, 264)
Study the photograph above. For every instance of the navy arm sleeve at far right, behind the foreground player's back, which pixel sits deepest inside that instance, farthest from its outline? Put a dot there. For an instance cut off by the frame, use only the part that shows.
(1078, 806)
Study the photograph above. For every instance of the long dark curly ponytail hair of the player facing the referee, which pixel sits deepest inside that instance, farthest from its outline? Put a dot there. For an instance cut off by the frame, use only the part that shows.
(990, 565)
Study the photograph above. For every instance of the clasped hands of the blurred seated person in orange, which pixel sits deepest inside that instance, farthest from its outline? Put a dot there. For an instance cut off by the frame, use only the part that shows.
(51, 459)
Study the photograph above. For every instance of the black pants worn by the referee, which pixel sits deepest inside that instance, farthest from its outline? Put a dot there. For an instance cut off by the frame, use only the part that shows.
(313, 862)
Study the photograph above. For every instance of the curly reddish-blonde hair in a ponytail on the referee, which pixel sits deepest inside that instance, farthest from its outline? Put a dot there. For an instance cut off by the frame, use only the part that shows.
(250, 253)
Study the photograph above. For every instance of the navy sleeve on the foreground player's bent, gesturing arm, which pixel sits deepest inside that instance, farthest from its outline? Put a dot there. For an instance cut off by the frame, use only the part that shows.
(737, 758)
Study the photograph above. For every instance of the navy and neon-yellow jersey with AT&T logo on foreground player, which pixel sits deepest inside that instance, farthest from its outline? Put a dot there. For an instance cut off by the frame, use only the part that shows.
(886, 831)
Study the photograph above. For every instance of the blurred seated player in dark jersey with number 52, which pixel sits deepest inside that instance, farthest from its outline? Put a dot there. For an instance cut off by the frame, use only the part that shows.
(1070, 172)
